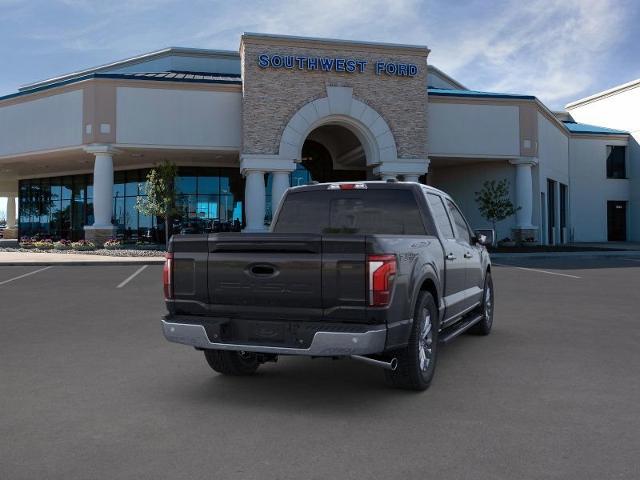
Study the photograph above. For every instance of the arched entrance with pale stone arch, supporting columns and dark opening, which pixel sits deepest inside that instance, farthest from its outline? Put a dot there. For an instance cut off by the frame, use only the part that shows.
(335, 138)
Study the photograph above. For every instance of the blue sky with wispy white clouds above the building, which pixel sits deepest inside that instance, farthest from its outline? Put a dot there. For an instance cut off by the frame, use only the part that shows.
(558, 50)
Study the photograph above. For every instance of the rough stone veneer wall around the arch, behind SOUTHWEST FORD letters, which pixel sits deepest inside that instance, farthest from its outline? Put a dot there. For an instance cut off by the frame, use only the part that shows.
(271, 96)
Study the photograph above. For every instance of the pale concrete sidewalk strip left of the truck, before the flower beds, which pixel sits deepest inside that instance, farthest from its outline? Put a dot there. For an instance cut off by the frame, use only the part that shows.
(32, 258)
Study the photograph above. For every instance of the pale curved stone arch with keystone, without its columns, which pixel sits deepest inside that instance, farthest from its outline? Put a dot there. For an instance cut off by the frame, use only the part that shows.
(340, 108)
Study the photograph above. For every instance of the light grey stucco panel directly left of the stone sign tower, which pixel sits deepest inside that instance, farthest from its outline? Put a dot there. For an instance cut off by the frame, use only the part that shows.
(190, 118)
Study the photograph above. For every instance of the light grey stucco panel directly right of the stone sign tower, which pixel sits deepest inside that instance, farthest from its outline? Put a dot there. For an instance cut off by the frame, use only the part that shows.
(466, 129)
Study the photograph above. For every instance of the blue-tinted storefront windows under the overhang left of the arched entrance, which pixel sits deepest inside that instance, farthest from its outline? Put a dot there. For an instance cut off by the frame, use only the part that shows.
(209, 199)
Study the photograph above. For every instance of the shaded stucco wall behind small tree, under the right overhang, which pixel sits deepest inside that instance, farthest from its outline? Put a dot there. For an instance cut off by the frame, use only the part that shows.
(462, 181)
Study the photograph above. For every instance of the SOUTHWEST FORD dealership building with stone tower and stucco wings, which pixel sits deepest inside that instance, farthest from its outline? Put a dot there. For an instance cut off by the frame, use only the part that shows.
(244, 126)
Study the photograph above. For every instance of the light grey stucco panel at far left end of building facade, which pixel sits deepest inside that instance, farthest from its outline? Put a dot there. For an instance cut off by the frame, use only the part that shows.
(45, 123)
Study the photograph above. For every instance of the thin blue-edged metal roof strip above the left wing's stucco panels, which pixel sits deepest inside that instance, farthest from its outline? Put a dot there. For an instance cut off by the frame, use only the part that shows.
(172, 76)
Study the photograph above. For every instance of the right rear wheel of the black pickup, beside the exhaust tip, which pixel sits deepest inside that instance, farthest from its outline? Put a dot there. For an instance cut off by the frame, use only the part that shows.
(417, 361)
